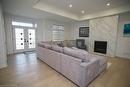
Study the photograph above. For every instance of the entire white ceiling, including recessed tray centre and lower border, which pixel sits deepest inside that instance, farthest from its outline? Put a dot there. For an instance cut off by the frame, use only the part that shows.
(59, 9)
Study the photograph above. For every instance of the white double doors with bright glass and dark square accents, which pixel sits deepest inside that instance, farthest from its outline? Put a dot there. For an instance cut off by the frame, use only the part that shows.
(24, 39)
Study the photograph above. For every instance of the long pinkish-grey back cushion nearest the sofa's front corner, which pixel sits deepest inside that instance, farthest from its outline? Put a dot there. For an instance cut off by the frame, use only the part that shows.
(75, 53)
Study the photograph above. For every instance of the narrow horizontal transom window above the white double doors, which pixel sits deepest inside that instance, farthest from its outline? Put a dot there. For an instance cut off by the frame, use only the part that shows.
(23, 24)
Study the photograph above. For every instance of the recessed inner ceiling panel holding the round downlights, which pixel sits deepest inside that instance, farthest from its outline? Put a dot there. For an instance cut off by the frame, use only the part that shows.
(90, 6)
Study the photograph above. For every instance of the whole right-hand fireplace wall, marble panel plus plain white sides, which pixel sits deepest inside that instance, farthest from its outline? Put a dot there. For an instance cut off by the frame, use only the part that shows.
(103, 29)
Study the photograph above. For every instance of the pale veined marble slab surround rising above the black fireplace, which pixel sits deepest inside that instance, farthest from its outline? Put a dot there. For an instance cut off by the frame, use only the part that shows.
(104, 29)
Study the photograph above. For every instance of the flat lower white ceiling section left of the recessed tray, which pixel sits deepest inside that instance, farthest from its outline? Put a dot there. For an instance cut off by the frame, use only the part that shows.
(25, 8)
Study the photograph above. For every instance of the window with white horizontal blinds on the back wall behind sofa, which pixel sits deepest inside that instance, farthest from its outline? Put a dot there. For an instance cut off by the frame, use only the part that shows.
(58, 33)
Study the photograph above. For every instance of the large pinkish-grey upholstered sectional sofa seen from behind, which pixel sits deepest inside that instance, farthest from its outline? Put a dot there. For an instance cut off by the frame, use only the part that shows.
(77, 65)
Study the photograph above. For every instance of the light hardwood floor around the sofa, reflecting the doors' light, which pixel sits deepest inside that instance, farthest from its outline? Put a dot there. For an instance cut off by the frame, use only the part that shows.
(25, 70)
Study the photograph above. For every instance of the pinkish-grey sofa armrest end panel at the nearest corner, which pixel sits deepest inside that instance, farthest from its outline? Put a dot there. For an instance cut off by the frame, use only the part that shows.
(89, 70)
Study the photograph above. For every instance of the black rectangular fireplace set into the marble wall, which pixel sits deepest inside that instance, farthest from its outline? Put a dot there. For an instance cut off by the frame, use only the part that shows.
(100, 47)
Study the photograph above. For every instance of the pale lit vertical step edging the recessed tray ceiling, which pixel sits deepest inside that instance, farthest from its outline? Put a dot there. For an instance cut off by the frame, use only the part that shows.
(61, 12)
